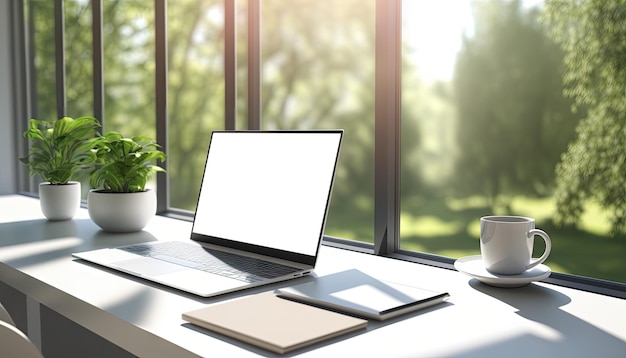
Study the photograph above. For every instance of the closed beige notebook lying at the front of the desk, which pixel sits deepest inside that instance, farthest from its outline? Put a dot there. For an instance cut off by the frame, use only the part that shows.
(273, 323)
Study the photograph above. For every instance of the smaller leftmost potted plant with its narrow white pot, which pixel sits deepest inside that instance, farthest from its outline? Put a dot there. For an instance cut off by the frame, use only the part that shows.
(60, 152)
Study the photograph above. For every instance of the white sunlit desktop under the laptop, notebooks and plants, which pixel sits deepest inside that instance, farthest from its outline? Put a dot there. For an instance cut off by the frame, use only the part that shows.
(145, 319)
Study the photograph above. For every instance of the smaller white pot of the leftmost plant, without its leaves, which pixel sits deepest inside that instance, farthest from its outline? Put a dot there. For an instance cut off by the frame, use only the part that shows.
(59, 201)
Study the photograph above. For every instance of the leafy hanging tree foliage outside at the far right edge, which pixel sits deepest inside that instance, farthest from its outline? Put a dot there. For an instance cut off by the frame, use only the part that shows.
(593, 35)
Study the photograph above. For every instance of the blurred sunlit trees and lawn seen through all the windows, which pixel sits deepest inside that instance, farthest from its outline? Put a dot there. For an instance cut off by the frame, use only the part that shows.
(488, 112)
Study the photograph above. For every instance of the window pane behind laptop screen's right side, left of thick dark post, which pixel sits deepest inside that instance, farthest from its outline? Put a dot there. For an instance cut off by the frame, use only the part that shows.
(318, 72)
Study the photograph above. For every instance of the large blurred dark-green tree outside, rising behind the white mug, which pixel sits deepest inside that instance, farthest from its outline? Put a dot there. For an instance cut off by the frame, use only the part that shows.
(513, 121)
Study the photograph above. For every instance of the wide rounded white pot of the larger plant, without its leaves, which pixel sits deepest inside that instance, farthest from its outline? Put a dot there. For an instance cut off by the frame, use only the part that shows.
(121, 212)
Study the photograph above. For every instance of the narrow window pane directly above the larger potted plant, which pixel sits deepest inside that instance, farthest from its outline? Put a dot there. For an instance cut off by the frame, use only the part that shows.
(129, 67)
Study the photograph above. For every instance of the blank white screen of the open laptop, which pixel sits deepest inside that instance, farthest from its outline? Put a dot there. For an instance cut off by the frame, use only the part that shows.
(267, 188)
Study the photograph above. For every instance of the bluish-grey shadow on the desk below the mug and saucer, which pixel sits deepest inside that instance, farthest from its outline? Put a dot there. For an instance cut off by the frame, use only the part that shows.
(543, 306)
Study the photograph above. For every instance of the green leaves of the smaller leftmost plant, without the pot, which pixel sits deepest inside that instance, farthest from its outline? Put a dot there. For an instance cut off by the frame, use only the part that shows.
(61, 150)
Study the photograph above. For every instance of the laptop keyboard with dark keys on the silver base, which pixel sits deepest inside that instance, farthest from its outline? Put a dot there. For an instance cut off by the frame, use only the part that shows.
(222, 263)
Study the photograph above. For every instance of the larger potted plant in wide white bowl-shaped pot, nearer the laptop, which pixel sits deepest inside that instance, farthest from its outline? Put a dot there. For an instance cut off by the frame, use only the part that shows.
(119, 201)
